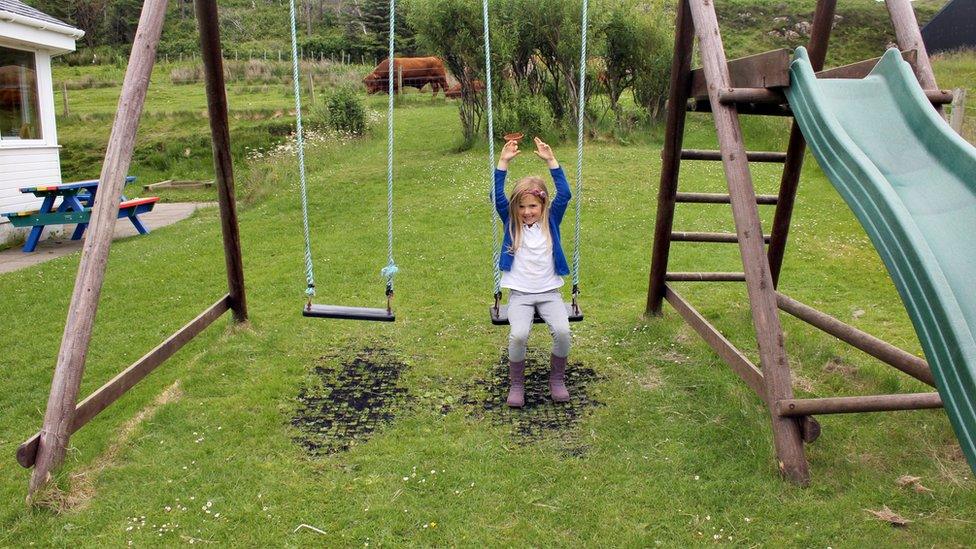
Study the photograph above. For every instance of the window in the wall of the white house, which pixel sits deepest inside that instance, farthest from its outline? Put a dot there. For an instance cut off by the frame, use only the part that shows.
(19, 116)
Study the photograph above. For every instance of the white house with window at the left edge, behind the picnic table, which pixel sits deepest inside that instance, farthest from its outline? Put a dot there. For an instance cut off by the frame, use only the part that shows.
(28, 135)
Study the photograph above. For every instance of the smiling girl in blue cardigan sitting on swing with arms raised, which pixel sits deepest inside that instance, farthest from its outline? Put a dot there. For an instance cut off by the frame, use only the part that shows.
(532, 264)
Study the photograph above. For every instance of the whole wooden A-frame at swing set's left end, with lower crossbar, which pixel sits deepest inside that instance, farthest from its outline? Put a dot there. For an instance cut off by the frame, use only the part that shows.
(46, 449)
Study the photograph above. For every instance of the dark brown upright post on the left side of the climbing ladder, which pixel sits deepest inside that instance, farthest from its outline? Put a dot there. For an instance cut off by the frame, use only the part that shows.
(671, 156)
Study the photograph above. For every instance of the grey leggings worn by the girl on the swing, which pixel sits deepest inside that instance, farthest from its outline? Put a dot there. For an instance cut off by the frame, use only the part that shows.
(521, 309)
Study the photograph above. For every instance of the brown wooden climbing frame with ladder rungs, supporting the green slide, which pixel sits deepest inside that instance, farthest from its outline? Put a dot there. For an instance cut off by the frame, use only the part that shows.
(728, 90)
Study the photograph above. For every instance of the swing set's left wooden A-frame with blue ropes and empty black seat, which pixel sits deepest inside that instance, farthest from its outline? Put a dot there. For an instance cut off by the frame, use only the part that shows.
(45, 450)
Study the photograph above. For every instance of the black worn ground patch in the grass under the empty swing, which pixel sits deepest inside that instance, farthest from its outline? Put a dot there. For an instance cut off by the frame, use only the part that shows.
(343, 403)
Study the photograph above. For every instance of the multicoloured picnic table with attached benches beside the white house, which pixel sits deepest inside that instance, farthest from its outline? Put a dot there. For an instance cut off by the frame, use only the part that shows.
(77, 200)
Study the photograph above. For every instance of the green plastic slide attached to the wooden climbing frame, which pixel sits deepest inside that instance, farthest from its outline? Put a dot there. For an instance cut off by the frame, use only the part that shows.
(911, 182)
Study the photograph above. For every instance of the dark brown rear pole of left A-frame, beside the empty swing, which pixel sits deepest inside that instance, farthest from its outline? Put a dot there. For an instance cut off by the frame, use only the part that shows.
(213, 64)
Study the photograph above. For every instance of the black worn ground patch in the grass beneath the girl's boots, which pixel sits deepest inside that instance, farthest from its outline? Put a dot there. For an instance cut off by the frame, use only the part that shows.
(540, 418)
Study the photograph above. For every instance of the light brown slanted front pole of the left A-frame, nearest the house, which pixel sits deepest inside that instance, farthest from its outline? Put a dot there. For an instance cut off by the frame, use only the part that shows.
(94, 256)
